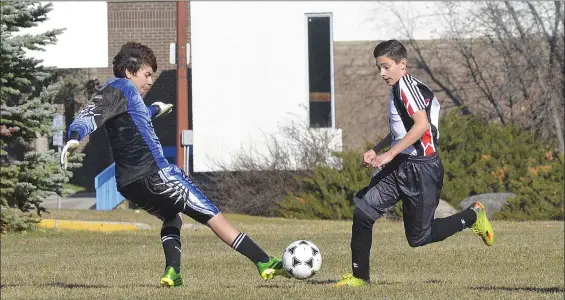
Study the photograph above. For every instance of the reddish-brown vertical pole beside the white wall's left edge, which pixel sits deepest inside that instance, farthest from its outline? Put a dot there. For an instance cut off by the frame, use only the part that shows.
(182, 80)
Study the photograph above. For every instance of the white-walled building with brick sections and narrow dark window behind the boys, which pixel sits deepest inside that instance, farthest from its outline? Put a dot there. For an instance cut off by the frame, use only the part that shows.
(254, 65)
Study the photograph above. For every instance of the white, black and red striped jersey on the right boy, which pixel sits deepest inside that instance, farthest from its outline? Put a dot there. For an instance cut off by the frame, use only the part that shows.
(408, 96)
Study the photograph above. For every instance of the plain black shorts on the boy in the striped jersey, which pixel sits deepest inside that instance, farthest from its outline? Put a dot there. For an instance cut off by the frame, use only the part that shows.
(417, 180)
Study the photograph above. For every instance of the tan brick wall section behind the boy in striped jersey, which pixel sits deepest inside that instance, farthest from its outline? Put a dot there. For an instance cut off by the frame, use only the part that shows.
(362, 96)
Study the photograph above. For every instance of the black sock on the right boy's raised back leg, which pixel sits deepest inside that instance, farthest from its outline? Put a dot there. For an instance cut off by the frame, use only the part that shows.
(446, 227)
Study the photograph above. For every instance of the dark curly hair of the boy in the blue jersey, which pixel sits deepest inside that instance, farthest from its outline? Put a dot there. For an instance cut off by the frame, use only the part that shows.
(131, 57)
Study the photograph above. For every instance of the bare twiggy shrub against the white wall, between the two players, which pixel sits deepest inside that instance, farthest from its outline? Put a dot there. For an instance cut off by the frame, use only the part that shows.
(255, 182)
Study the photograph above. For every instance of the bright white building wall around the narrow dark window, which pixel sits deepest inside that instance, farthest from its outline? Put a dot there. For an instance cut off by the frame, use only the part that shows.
(249, 65)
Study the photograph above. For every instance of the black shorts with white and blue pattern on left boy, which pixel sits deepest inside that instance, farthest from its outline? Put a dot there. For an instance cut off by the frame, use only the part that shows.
(168, 192)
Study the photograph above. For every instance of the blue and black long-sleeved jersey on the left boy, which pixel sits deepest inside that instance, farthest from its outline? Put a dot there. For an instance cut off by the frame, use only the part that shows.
(127, 120)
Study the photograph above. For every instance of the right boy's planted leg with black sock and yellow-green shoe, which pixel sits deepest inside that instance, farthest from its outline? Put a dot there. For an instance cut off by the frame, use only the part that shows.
(372, 202)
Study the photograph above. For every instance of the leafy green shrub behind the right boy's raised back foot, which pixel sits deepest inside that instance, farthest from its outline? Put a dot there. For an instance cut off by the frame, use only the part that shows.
(481, 157)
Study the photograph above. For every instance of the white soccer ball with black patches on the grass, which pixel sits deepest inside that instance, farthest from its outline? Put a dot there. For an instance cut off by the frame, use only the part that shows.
(302, 259)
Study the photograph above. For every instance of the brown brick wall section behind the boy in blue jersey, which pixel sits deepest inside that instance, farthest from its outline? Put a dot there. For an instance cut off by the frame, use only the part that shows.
(152, 24)
